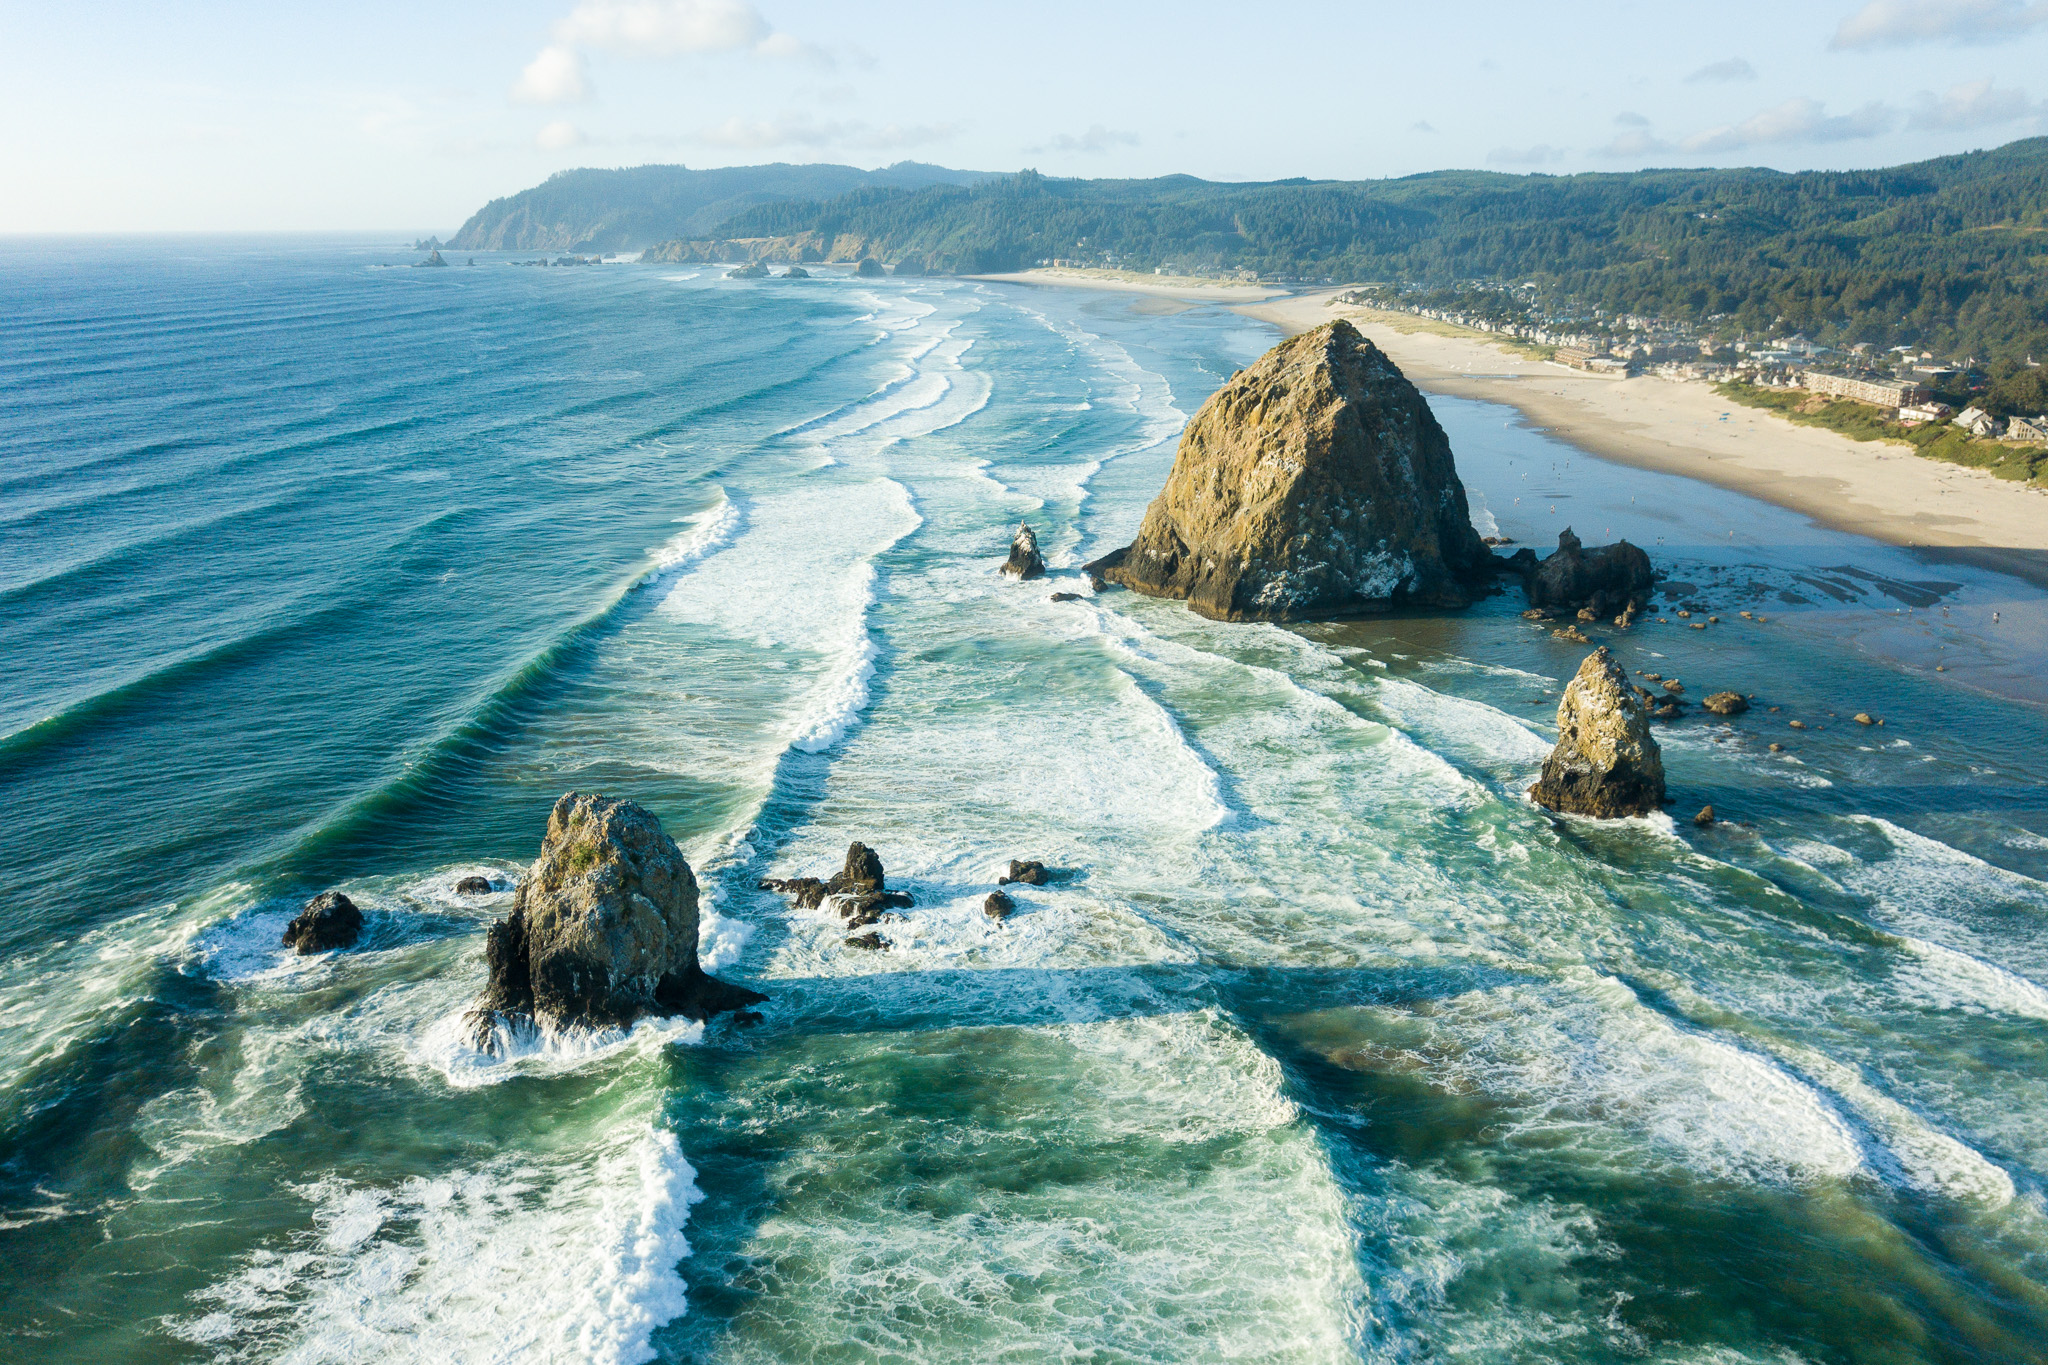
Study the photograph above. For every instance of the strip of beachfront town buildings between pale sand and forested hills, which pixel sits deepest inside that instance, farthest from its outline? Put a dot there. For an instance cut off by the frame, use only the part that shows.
(1914, 386)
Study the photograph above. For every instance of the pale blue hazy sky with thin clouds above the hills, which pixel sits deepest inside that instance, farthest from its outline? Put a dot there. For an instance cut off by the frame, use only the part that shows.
(380, 116)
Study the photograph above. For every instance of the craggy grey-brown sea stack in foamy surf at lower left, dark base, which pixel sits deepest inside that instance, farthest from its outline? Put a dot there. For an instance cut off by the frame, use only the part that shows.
(603, 930)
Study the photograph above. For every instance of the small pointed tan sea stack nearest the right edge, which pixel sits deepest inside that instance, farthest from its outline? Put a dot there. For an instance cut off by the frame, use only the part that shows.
(1607, 762)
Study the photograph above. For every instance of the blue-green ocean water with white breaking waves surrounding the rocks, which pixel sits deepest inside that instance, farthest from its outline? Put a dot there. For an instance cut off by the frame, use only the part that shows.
(1322, 1047)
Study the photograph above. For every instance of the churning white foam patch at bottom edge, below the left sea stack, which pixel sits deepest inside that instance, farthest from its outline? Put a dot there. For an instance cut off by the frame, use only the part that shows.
(568, 1260)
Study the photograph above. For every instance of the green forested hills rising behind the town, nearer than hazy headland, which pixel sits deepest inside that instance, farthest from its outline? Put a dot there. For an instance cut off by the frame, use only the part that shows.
(1947, 255)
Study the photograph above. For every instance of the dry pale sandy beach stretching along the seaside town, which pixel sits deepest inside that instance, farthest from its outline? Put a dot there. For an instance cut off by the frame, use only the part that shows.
(1869, 488)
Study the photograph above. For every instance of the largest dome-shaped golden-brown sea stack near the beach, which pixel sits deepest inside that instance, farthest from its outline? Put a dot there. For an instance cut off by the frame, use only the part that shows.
(1314, 484)
